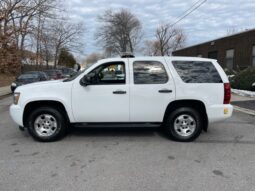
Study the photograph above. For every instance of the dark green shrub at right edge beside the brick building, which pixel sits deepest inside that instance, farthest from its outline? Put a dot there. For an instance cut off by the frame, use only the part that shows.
(244, 80)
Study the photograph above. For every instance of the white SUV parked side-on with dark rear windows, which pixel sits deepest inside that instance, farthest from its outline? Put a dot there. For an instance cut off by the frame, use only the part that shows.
(181, 94)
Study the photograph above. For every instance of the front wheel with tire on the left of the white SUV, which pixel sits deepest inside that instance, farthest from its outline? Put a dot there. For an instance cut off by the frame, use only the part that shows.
(46, 124)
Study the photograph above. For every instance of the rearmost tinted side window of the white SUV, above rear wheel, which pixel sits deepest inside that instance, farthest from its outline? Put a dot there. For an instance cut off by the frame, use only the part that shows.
(197, 72)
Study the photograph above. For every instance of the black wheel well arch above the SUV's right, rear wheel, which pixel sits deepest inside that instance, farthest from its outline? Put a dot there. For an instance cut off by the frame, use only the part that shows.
(195, 104)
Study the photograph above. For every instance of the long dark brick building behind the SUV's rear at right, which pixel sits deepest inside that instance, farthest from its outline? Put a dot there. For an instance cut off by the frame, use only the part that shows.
(236, 51)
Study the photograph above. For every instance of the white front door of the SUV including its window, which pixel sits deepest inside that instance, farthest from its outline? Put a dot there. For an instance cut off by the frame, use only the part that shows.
(106, 99)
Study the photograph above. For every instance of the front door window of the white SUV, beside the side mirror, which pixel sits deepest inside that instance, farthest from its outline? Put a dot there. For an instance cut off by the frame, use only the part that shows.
(110, 73)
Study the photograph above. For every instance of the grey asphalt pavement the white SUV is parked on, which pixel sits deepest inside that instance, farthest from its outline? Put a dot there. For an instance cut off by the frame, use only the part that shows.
(129, 159)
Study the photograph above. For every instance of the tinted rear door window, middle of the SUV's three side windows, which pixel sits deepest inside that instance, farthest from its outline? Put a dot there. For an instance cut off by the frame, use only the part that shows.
(149, 72)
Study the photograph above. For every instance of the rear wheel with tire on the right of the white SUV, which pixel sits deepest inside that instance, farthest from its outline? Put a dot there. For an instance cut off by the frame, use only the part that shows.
(184, 124)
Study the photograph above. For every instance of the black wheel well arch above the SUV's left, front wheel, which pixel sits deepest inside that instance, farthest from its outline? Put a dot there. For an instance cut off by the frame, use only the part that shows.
(35, 104)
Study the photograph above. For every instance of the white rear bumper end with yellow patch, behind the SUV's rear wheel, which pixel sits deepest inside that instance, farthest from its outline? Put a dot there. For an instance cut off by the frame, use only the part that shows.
(217, 113)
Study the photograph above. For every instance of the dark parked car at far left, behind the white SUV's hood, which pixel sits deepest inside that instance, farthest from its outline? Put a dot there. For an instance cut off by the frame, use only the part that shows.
(29, 77)
